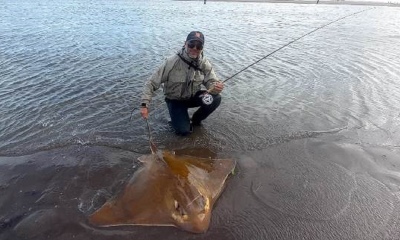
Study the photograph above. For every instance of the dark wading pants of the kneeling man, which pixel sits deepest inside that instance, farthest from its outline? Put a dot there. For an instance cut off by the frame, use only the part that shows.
(178, 110)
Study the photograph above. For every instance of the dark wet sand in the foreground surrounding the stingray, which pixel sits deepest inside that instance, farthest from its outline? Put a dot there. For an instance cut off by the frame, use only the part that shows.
(302, 189)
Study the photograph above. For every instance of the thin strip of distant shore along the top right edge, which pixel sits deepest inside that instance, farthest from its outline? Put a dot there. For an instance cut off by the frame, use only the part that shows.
(370, 3)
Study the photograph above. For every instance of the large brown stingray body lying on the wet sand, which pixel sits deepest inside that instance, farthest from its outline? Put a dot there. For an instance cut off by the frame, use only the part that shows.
(170, 190)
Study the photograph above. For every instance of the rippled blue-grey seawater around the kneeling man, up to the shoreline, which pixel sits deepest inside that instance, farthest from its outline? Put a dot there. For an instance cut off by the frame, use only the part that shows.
(72, 72)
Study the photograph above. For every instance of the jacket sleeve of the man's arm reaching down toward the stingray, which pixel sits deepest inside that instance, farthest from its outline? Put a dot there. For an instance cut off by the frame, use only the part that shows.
(153, 83)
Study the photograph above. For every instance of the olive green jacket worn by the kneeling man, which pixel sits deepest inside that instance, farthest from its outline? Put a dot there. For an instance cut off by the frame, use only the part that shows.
(180, 80)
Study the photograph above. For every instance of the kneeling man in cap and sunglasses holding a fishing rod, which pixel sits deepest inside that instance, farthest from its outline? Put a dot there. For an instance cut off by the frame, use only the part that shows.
(182, 75)
